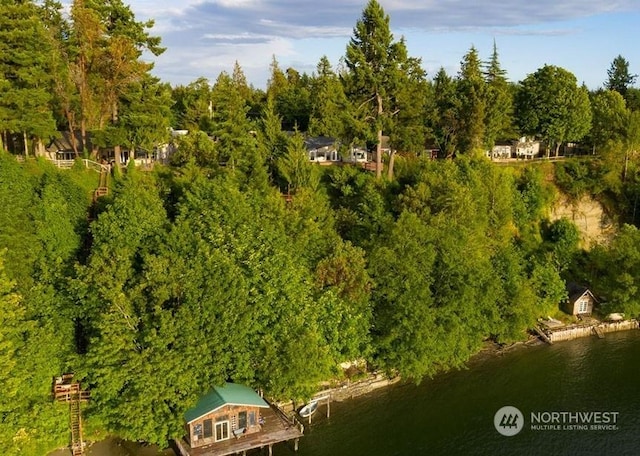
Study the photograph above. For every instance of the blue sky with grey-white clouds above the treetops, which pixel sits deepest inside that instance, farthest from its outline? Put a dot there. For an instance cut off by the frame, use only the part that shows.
(206, 37)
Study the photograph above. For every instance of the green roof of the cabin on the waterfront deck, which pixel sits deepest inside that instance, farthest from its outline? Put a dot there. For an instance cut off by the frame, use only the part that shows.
(228, 394)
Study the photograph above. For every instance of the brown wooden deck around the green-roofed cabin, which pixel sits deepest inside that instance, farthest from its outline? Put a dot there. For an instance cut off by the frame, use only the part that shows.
(276, 428)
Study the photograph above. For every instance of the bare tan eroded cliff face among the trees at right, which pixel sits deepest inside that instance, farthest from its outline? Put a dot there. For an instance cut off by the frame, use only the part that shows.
(588, 215)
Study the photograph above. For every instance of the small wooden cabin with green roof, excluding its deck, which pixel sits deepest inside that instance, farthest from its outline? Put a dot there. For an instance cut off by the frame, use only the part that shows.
(227, 412)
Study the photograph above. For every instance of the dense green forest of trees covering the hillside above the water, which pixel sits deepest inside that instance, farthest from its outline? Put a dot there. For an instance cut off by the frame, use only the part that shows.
(201, 271)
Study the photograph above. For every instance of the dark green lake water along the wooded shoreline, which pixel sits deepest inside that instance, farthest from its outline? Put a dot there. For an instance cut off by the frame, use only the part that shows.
(453, 414)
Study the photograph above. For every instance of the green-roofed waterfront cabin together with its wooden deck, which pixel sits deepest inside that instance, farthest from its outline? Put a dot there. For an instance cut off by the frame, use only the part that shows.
(233, 419)
